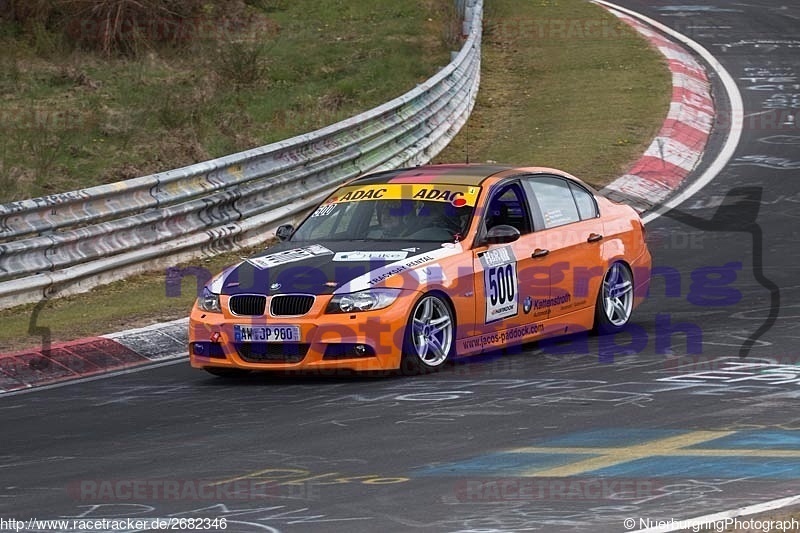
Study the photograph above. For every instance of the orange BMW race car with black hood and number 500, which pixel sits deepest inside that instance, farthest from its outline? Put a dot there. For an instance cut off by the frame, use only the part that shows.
(406, 269)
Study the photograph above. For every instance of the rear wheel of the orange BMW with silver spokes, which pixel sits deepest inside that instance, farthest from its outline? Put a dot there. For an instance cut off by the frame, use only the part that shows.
(614, 300)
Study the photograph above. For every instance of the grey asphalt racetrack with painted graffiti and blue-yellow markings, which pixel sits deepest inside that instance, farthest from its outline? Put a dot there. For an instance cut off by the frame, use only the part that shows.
(691, 412)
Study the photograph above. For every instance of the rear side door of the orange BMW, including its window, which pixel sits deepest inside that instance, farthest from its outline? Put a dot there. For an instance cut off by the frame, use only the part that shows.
(568, 229)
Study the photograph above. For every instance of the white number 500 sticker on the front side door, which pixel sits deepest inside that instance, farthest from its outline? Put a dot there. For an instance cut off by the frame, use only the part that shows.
(500, 283)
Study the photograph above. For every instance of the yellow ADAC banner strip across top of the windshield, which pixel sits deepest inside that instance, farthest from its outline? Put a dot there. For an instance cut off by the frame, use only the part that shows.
(456, 195)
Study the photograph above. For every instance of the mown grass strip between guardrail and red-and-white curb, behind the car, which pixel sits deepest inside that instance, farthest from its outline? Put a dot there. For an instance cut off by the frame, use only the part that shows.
(564, 84)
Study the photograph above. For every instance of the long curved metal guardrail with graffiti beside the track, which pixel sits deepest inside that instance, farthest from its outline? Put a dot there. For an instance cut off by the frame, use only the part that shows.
(70, 242)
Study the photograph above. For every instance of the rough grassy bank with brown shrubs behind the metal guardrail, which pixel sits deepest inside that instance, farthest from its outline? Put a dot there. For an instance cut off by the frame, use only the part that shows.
(252, 73)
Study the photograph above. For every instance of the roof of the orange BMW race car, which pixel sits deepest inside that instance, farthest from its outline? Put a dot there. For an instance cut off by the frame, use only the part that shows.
(458, 174)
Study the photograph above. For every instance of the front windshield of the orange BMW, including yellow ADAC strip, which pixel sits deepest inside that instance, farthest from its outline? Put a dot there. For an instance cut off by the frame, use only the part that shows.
(396, 212)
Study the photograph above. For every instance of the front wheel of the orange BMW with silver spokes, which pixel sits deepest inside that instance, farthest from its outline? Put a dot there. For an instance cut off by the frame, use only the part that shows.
(429, 337)
